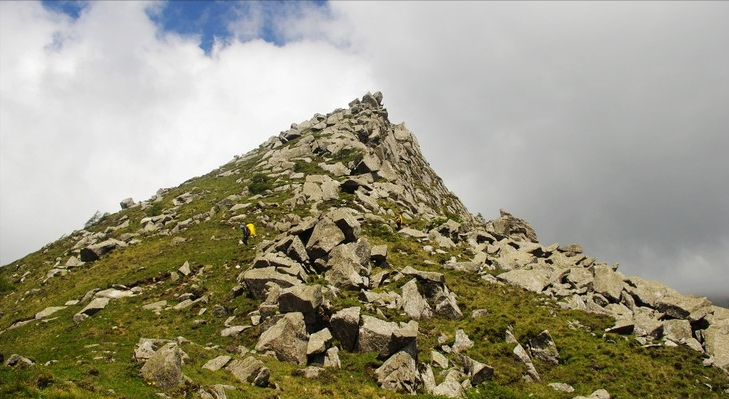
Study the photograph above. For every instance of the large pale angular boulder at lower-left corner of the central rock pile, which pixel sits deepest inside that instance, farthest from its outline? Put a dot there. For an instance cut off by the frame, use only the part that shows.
(287, 339)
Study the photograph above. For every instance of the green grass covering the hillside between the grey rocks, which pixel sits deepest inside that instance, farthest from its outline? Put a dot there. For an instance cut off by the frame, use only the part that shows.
(94, 359)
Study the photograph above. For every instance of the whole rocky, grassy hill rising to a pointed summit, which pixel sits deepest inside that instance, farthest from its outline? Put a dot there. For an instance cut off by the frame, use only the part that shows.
(365, 277)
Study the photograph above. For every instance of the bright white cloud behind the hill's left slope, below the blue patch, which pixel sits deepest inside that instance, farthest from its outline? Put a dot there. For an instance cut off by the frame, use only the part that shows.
(117, 110)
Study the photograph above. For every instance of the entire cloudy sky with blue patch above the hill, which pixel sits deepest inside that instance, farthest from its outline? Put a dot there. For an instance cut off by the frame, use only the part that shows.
(600, 123)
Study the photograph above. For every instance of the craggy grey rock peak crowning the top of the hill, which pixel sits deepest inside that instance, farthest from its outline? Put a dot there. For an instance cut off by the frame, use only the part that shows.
(373, 158)
